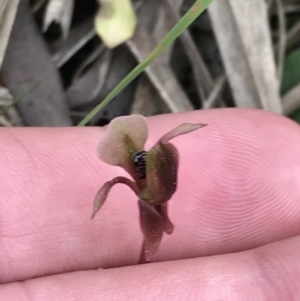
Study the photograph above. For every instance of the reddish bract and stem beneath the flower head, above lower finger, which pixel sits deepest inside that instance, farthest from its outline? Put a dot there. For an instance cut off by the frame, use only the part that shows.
(152, 228)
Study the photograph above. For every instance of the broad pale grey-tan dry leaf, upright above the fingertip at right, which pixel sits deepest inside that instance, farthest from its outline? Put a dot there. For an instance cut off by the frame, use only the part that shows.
(242, 32)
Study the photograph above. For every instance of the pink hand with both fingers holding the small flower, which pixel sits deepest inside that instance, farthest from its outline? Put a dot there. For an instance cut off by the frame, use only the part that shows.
(236, 214)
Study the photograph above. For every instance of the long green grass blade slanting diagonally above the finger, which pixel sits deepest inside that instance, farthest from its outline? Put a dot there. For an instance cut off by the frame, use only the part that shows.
(198, 7)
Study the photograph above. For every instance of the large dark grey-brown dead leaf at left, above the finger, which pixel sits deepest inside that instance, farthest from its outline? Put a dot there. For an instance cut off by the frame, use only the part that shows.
(27, 62)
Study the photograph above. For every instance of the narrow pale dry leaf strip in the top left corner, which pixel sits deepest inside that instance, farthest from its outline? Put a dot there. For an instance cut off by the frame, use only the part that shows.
(8, 10)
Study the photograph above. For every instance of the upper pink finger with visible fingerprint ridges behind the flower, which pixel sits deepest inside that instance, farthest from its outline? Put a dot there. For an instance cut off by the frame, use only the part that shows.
(239, 184)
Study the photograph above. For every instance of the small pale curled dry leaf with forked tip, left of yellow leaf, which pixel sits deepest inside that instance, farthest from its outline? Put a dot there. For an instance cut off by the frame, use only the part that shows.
(59, 11)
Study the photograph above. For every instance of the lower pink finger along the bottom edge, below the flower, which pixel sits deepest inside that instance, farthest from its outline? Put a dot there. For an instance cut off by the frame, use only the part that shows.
(269, 273)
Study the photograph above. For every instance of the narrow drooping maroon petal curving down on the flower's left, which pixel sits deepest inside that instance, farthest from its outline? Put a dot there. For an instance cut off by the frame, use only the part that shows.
(104, 190)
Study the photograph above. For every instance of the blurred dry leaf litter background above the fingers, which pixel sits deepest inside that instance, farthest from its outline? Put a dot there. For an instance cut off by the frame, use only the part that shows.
(55, 68)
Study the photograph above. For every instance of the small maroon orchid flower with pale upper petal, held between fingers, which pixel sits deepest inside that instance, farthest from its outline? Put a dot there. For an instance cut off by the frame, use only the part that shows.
(154, 173)
